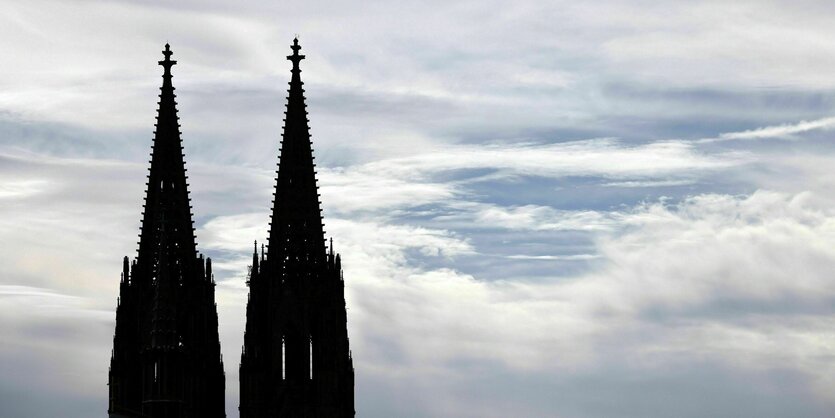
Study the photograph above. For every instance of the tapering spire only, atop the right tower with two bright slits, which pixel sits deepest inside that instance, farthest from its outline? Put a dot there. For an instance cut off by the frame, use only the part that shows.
(296, 231)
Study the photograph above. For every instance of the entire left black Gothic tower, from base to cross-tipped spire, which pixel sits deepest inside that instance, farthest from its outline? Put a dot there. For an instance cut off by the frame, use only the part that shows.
(166, 360)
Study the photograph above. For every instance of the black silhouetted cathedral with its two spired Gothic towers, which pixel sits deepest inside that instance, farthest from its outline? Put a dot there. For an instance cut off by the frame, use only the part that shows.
(166, 359)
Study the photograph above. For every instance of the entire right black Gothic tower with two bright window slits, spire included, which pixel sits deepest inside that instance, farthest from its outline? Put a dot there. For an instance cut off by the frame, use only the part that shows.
(296, 361)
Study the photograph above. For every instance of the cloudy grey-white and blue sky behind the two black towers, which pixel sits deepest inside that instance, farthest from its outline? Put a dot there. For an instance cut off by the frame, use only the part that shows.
(544, 208)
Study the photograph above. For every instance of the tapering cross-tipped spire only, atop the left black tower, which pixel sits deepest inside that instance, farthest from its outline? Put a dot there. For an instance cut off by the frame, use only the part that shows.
(167, 202)
